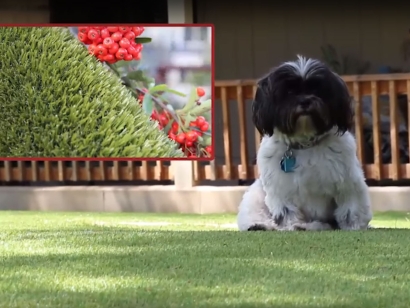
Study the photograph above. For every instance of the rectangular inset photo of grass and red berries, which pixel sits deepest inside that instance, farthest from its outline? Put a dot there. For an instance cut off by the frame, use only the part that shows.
(106, 91)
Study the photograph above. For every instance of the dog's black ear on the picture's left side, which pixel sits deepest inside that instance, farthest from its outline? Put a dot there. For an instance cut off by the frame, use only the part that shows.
(262, 108)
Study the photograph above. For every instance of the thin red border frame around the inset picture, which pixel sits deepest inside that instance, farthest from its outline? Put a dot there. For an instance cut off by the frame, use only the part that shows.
(129, 158)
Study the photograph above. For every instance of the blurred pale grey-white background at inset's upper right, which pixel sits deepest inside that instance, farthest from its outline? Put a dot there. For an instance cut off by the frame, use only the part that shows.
(180, 57)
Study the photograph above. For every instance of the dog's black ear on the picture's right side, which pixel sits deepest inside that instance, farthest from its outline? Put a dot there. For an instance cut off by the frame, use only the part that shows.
(342, 112)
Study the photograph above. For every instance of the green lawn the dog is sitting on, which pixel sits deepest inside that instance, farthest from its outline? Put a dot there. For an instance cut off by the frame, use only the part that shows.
(150, 260)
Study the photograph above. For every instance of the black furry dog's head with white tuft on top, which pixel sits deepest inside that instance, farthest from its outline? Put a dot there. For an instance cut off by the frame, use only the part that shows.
(302, 98)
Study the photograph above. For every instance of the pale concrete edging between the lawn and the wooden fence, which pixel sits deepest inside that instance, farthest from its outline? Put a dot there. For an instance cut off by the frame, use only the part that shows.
(160, 199)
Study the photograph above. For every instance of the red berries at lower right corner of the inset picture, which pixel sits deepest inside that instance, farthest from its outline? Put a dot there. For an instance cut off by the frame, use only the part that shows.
(189, 138)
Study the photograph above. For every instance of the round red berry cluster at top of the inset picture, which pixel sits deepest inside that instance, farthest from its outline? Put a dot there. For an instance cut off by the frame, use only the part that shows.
(112, 44)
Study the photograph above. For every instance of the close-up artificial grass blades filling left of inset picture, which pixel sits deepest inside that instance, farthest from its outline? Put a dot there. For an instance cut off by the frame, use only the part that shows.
(56, 100)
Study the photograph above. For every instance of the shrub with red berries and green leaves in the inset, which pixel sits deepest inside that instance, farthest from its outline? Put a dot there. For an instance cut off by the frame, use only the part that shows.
(120, 48)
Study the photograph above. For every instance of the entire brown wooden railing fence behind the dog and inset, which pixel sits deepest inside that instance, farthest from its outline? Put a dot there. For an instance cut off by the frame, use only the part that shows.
(237, 140)
